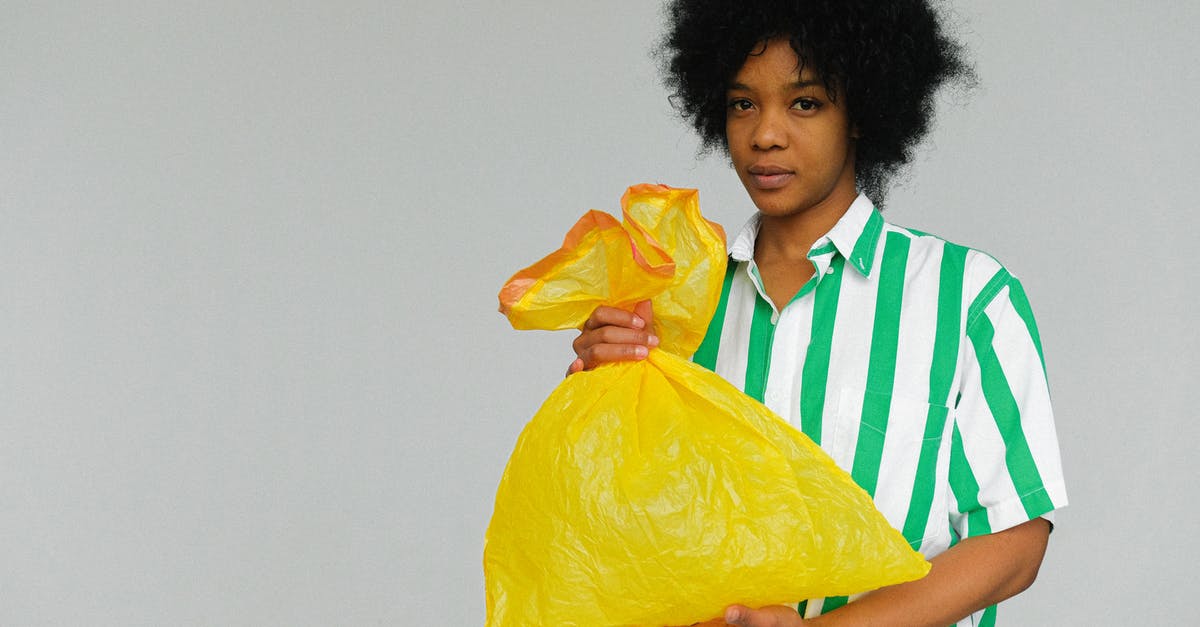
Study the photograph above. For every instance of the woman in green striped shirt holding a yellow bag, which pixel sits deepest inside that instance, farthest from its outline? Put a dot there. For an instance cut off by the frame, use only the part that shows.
(914, 362)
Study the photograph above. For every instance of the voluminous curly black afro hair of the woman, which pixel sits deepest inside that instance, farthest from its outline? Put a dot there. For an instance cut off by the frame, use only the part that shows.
(887, 57)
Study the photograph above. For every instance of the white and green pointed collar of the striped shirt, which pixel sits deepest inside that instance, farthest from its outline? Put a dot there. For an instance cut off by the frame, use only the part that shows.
(855, 237)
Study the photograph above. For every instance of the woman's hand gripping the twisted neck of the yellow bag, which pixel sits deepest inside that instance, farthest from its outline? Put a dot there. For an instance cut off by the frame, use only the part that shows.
(615, 336)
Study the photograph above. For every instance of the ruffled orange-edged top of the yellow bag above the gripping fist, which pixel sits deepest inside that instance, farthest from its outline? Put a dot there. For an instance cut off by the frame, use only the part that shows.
(665, 253)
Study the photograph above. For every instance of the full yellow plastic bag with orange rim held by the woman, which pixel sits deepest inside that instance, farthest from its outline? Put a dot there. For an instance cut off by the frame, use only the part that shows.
(655, 493)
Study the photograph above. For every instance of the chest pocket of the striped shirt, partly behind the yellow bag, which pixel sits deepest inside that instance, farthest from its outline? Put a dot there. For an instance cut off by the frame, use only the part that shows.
(893, 447)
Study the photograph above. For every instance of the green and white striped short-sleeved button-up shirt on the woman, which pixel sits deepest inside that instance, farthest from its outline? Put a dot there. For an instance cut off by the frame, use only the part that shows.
(916, 365)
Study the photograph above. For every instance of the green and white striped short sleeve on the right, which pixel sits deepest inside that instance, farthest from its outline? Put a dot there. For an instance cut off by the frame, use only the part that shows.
(1005, 463)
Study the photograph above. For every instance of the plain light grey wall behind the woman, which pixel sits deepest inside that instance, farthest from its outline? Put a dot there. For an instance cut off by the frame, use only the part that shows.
(251, 371)
